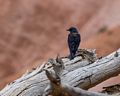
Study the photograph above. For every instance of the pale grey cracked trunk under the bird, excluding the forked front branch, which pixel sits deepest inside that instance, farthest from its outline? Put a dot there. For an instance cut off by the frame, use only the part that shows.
(77, 73)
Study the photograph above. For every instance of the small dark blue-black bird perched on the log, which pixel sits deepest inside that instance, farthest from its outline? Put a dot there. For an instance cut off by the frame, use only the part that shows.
(74, 40)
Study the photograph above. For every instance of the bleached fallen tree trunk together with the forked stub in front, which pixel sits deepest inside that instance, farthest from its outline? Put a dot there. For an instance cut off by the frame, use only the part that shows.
(85, 71)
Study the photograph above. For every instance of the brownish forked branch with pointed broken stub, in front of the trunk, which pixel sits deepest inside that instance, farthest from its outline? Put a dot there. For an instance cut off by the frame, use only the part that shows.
(58, 88)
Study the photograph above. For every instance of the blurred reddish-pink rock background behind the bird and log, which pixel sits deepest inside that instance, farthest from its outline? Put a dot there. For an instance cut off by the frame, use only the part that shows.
(31, 31)
